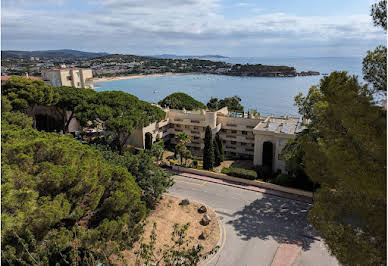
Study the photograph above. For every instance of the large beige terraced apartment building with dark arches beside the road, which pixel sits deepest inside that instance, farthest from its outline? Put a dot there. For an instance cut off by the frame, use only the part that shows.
(258, 138)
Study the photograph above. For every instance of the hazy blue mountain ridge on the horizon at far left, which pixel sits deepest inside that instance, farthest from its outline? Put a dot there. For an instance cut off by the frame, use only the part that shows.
(51, 54)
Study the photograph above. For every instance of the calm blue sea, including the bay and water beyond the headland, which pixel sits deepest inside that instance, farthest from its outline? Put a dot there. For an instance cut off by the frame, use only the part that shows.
(273, 96)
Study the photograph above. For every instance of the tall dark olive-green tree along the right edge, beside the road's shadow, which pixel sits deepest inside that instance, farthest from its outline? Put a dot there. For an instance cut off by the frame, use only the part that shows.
(348, 160)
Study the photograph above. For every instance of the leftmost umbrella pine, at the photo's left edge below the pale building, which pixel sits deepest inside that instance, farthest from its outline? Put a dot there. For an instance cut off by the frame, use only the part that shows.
(27, 94)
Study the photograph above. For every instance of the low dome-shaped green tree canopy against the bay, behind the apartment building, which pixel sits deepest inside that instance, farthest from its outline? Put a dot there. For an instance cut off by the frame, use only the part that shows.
(181, 101)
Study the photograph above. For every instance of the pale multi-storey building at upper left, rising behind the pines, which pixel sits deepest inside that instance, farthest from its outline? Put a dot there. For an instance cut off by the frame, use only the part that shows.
(73, 77)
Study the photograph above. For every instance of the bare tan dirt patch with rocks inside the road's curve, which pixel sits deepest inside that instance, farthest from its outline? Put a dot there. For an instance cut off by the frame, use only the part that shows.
(169, 212)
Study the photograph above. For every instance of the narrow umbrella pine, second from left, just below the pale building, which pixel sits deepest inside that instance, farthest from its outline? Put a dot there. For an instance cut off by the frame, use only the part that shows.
(72, 102)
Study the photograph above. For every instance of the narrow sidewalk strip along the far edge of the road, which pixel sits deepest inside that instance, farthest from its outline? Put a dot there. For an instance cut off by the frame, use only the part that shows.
(244, 186)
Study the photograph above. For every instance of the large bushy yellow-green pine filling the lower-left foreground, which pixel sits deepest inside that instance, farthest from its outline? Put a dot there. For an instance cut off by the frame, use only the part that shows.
(61, 202)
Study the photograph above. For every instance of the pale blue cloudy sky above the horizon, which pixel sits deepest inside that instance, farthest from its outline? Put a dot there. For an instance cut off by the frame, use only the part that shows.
(238, 28)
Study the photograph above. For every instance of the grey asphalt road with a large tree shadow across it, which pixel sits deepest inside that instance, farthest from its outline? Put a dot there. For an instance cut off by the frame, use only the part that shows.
(256, 225)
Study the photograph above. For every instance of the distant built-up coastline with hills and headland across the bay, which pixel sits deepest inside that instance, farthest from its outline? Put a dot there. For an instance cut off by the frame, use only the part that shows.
(106, 65)
